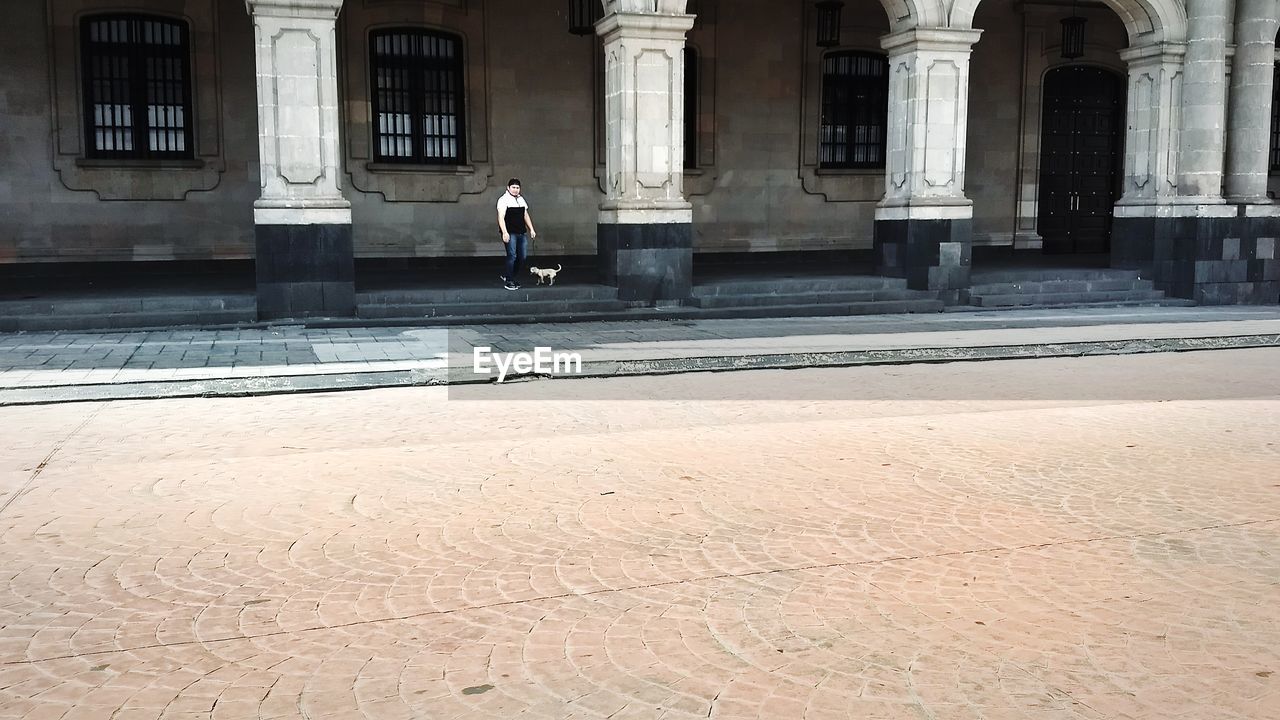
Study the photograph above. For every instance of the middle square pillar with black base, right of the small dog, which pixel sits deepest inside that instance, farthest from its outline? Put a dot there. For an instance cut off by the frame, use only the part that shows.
(646, 235)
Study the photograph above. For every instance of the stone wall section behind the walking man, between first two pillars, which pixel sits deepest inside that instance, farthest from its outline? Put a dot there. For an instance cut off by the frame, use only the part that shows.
(531, 108)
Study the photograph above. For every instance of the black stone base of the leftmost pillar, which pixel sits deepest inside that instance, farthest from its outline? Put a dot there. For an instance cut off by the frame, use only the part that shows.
(305, 272)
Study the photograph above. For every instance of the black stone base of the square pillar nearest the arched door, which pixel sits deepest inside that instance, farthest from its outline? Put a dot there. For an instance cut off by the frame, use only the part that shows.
(934, 256)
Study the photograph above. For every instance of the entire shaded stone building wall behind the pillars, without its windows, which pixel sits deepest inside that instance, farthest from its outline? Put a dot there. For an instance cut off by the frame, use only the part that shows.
(534, 110)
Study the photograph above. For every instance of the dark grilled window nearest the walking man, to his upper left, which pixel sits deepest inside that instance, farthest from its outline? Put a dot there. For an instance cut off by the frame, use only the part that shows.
(418, 98)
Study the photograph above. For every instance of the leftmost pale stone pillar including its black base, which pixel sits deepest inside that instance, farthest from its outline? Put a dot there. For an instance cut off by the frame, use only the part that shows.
(303, 224)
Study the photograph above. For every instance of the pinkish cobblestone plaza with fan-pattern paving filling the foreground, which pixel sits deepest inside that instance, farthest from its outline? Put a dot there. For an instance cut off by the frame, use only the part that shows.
(397, 554)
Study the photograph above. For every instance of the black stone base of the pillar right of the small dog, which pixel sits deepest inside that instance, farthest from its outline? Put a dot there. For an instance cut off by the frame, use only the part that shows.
(647, 263)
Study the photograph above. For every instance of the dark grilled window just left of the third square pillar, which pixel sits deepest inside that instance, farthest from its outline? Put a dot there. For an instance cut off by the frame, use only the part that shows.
(854, 111)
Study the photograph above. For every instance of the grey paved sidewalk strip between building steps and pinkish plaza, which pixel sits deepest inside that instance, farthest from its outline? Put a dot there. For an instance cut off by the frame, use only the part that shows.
(38, 368)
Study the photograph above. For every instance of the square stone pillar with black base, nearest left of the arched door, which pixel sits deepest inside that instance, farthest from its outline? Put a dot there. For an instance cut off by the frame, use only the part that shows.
(925, 224)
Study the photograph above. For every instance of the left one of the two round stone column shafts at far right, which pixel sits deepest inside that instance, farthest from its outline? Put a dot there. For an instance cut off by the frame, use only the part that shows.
(1203, 136)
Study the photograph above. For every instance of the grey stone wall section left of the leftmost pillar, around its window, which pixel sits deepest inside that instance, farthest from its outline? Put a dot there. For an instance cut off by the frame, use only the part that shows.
(43, 220)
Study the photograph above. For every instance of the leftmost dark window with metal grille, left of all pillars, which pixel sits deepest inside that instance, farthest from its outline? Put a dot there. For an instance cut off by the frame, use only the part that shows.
(138, 88)
